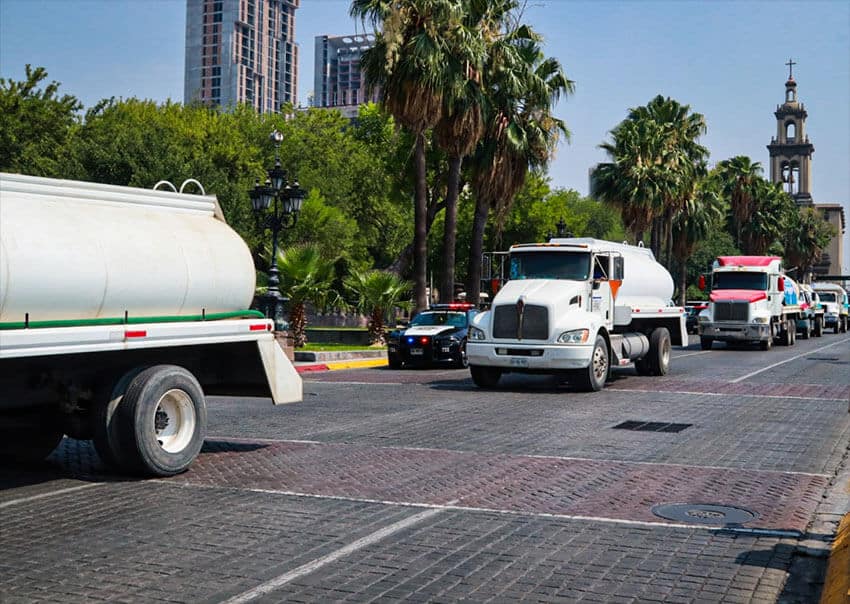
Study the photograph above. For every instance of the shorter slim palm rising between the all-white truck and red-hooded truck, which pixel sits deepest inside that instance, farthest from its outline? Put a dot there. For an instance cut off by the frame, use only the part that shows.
(694, 222)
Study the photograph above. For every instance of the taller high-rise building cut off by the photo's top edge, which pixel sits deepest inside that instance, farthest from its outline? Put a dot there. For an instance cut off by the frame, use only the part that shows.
(241, 51)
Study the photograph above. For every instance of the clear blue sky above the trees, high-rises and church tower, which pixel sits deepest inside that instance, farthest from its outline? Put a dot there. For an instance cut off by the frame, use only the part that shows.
(724, 59)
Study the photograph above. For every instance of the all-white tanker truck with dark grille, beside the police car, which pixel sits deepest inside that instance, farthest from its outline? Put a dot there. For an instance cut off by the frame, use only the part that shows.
(575, 307)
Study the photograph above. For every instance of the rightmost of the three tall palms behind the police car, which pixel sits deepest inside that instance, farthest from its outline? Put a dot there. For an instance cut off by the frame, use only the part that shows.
(522, 87)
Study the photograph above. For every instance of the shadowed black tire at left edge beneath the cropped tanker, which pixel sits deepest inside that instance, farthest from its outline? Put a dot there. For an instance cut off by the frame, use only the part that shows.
(29, 436)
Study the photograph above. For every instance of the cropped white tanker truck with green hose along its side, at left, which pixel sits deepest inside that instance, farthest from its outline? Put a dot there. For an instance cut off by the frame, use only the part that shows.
(120, 309)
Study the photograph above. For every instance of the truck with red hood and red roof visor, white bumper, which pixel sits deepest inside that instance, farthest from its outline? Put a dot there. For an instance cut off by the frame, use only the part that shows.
(752, 301)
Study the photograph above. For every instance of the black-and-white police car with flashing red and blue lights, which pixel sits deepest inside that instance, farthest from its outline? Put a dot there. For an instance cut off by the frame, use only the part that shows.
(434, 336)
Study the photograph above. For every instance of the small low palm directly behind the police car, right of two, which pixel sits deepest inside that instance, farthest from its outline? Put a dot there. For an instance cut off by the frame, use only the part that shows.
(377, 292)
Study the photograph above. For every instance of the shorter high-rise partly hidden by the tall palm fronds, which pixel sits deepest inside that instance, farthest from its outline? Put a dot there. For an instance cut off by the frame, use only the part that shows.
(337, 79)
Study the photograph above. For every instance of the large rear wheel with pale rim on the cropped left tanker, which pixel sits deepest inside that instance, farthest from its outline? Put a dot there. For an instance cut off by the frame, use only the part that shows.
(161, 421)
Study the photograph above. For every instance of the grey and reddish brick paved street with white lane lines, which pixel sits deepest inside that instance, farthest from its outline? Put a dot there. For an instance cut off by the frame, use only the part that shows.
(417, 486)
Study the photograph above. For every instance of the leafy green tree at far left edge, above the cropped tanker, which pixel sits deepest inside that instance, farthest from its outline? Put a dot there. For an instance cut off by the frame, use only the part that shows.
(35, 124)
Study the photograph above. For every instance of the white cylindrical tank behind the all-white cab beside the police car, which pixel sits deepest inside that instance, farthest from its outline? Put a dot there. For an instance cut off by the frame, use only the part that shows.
(645, 281)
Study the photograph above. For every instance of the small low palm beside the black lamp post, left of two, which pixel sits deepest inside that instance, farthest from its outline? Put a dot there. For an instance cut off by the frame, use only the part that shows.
(305, 276)
